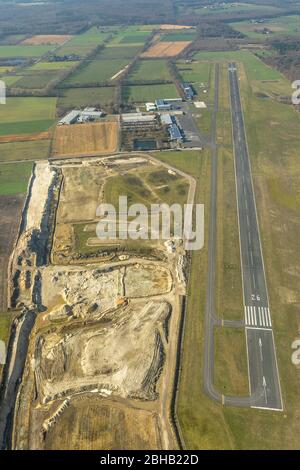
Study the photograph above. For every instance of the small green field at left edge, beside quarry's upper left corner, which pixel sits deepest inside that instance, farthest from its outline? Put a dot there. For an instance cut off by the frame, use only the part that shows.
(14, 177)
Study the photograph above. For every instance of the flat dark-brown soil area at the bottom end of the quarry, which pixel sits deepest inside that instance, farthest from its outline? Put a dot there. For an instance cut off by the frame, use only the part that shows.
(104, 425)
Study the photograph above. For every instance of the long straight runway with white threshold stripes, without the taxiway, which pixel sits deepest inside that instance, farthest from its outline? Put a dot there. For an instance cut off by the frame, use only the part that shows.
(262, 362)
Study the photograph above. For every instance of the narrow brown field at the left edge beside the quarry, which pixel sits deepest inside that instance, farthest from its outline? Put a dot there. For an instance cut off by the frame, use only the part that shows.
(10, 212)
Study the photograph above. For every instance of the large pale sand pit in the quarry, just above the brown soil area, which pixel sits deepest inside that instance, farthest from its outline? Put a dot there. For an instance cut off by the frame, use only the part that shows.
(121, 355)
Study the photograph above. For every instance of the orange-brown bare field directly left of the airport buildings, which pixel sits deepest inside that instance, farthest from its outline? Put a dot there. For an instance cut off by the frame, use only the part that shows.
(83, 139)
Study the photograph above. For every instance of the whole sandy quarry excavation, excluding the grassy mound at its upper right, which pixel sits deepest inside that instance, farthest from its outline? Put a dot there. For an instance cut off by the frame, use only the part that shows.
(102, 334)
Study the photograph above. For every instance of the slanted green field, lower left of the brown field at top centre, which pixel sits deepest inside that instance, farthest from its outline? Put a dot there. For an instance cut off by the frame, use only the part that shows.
(96, 72)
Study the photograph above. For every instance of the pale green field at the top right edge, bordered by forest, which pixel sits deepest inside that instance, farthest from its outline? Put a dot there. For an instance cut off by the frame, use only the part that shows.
(279, 26)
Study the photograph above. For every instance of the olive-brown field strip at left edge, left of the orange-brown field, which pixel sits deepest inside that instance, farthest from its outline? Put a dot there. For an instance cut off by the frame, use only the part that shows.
(34, 150)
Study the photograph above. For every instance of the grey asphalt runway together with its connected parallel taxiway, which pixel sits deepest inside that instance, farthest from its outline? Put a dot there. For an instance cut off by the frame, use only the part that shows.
(262, 363)
